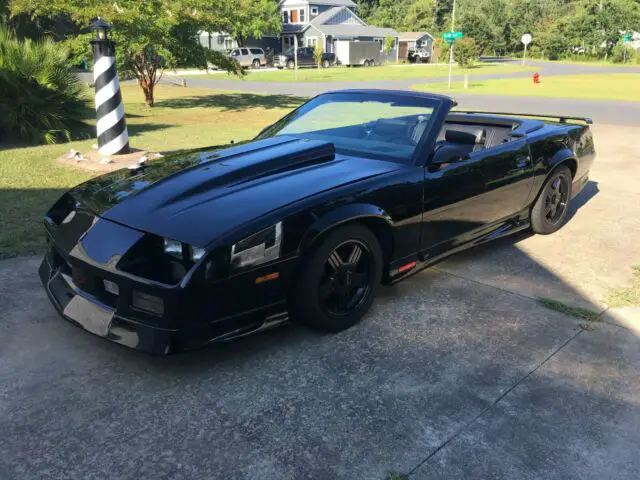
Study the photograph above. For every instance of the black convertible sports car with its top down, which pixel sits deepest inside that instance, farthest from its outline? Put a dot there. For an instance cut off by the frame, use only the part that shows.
(351, 190)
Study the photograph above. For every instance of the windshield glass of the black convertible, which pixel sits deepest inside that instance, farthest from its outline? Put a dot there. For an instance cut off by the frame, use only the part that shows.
(378, 125)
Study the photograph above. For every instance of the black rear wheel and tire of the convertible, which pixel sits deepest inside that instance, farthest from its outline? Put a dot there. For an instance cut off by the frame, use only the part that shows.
(550, 210)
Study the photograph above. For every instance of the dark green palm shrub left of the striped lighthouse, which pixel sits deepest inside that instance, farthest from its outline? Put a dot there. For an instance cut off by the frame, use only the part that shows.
(41, 99)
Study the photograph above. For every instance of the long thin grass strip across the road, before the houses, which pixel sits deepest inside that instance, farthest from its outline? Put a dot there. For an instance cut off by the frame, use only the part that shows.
(352, 74)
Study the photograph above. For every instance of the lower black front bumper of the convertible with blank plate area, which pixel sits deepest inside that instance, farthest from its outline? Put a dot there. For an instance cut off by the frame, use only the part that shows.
(90, 313)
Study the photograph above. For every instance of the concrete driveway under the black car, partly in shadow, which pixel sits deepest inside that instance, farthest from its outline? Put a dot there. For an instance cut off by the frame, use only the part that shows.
(458, 372)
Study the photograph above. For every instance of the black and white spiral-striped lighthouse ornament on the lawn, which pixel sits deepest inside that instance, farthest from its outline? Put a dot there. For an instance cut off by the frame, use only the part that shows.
(113, 138)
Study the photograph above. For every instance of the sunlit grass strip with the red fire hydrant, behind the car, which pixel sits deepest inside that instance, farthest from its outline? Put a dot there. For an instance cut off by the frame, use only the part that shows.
(618, 86)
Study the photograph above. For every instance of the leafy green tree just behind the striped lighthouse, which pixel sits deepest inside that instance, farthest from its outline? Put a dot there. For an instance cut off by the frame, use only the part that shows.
(156, 34)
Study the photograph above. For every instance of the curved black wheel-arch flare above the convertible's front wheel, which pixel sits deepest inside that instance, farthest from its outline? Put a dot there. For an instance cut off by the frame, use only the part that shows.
(340, 215)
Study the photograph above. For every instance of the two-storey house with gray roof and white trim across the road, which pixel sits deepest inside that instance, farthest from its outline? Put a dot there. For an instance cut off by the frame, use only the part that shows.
(327, 21)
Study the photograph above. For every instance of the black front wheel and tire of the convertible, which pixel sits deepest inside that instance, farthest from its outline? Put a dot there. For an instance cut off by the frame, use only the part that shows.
(322, 288)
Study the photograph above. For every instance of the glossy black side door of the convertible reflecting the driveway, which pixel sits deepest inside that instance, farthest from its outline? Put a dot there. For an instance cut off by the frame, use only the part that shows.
(471, 196)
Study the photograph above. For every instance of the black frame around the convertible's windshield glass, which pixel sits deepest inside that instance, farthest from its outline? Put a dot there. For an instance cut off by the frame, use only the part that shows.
(439, 104)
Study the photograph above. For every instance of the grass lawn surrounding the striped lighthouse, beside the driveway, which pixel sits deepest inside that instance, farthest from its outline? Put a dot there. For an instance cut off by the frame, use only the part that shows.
(31, 180)
